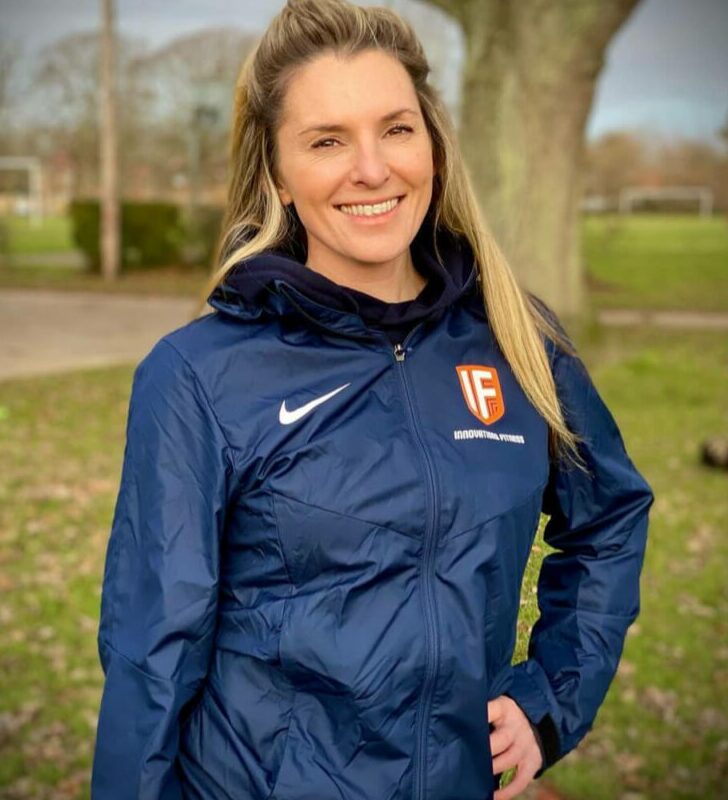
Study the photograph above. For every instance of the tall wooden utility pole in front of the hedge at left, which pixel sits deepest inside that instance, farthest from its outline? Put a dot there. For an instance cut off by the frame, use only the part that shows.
(110, 212)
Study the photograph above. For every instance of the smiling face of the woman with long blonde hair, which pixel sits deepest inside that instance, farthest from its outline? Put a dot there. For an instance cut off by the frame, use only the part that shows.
(355, 158)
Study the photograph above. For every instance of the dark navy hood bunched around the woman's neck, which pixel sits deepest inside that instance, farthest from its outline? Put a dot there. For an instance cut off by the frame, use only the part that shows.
(277, 283)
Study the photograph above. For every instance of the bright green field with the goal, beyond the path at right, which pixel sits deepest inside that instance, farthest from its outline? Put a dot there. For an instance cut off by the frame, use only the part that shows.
(657, 261)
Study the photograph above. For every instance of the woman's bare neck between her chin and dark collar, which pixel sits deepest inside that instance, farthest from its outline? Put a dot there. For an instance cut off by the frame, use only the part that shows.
(394, 282)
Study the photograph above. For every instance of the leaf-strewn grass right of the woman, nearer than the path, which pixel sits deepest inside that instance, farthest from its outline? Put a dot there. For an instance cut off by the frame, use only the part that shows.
(663, 731)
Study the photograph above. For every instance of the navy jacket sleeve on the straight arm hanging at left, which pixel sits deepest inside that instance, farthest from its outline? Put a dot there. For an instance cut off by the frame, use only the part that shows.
(159, 597)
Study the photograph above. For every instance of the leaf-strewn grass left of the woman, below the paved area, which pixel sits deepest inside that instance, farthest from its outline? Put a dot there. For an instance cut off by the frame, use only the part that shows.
(61, 439)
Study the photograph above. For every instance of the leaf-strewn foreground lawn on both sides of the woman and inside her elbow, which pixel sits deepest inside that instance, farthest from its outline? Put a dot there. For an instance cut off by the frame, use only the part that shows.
(663, 731)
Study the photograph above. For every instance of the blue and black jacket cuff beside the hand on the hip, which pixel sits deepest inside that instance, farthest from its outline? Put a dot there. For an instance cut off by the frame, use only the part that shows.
(527, 690)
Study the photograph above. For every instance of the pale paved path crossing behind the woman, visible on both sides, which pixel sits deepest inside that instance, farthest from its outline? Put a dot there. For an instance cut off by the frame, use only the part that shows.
(44, 331)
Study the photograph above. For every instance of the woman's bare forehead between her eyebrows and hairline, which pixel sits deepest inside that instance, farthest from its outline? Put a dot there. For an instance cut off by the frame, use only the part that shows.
(336, 88)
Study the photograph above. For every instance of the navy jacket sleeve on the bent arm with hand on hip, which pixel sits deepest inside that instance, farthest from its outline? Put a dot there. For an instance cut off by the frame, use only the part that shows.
(588, 590)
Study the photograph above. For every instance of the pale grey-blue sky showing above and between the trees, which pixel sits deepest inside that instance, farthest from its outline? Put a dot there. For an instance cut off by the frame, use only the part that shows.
(666, 70)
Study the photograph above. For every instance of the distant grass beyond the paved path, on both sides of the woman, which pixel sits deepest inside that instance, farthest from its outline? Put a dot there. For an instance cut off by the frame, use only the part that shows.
(645, 261)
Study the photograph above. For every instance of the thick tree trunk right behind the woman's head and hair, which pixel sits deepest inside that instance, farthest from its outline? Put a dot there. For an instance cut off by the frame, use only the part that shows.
(528, 82)
